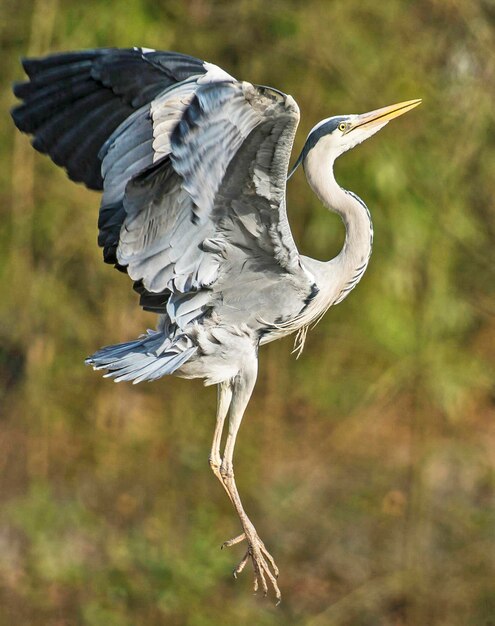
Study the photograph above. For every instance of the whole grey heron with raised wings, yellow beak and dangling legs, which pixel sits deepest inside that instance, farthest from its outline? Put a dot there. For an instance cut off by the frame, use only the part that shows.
(193, 166)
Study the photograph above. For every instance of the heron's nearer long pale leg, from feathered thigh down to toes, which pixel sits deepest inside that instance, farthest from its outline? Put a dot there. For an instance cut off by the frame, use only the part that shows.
(263, 563)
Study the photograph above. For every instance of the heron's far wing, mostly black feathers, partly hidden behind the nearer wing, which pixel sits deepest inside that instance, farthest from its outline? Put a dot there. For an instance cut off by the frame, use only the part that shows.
(73, 103)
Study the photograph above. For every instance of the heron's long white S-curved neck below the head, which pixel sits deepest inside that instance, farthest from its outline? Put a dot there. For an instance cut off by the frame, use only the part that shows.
(353, 259)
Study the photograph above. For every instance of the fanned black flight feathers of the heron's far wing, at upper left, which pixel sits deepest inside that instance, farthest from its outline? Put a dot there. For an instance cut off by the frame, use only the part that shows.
(75, 100)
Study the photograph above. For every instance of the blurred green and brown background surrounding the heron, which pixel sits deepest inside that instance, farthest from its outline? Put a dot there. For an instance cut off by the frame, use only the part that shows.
(368, 464)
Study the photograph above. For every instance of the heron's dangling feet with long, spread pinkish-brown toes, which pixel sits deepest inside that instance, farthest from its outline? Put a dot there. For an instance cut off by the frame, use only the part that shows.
(264, 565)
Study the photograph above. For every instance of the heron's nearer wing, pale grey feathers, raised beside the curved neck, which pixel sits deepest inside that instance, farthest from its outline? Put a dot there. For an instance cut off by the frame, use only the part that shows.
(205, 225)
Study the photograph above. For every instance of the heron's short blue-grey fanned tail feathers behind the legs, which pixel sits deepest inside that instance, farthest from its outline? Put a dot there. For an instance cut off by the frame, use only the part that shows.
(146, 358)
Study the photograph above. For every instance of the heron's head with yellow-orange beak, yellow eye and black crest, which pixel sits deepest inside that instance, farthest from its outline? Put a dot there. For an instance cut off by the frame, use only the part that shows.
(342, 132)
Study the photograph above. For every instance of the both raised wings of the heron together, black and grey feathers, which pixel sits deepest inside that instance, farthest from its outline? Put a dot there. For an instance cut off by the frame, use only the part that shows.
(193, 169)
